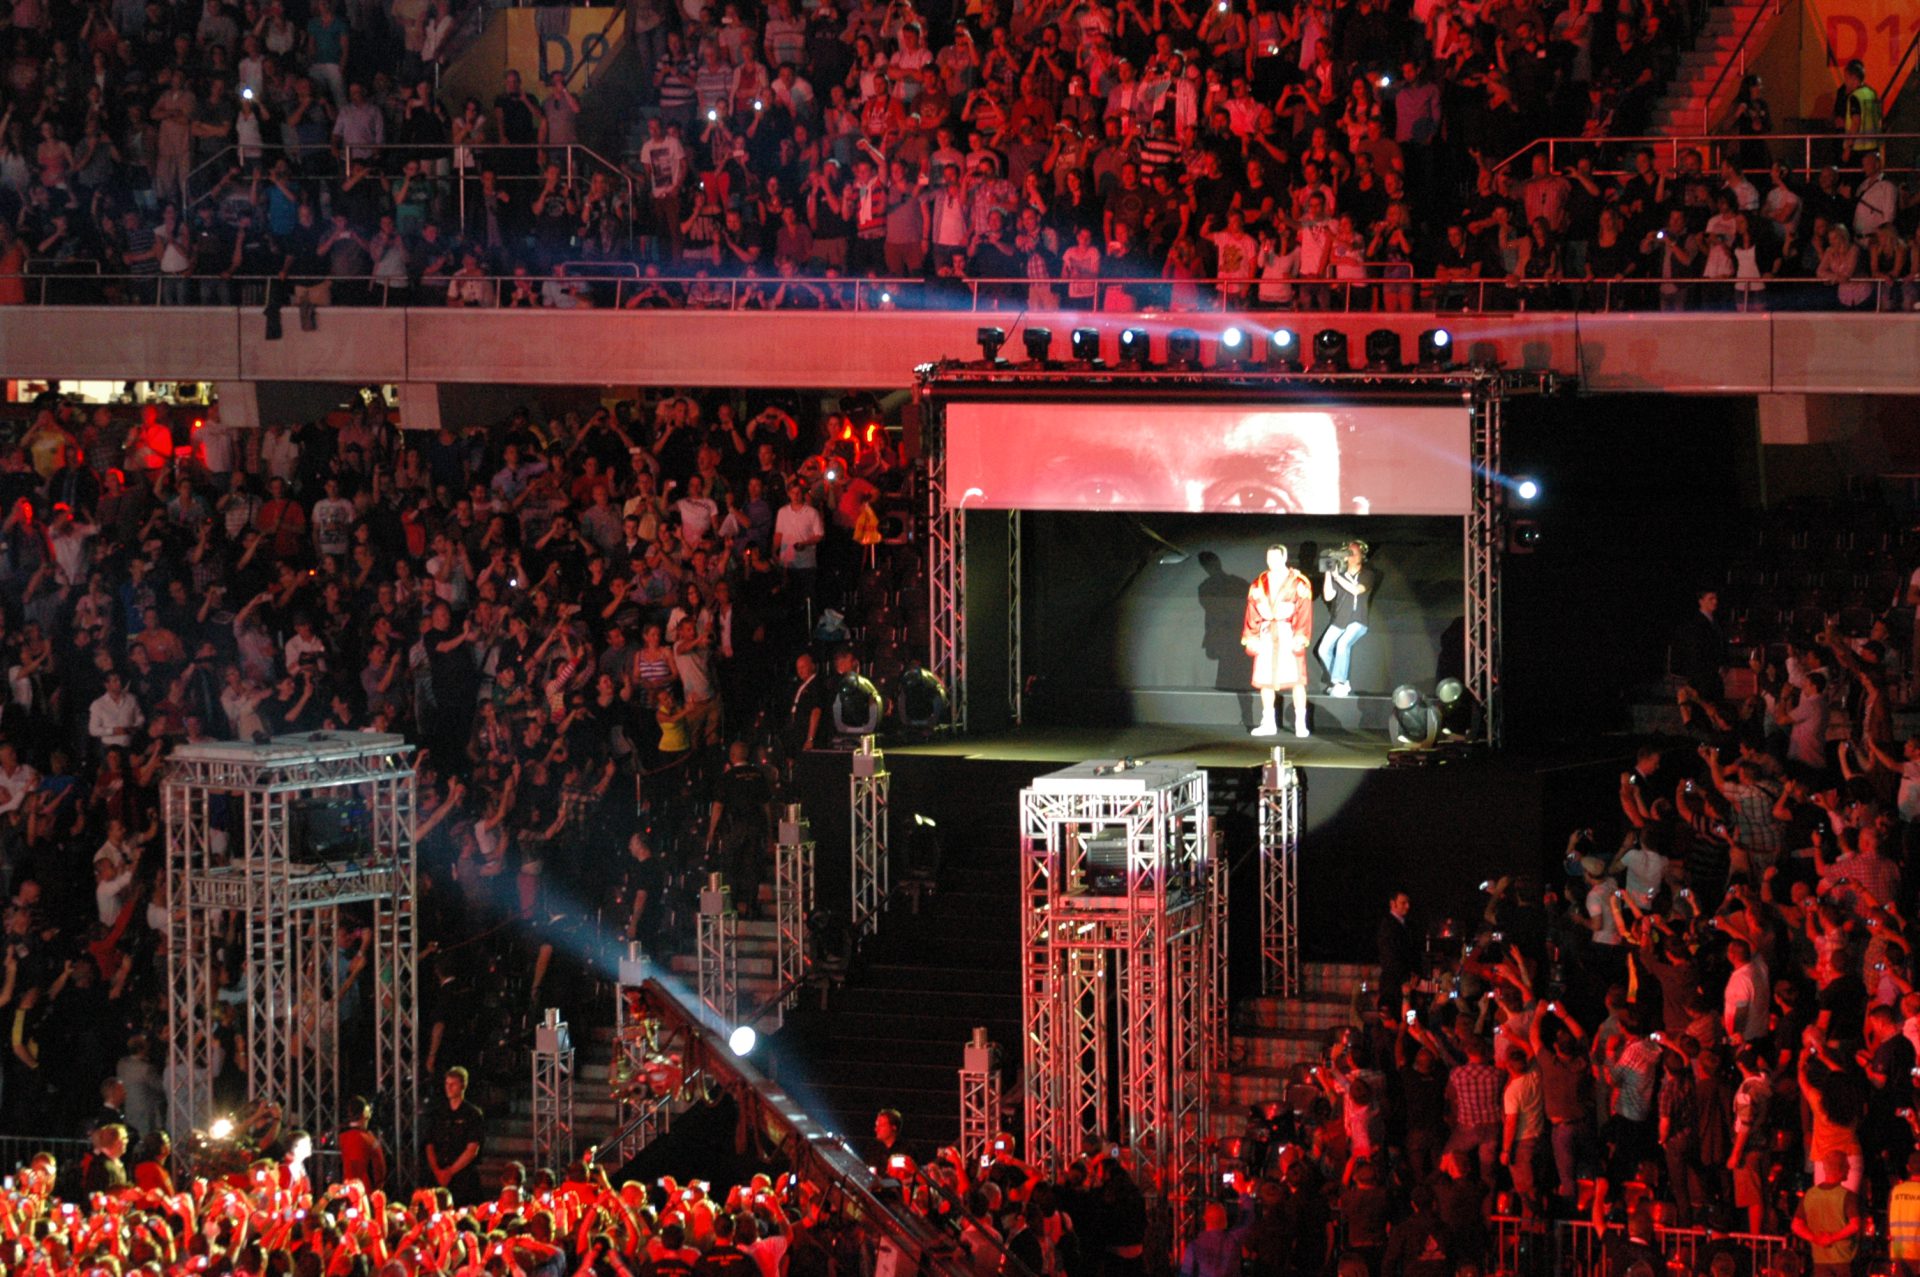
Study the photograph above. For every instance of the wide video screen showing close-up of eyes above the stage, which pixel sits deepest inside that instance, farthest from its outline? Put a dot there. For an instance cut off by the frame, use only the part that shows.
(1211, 458)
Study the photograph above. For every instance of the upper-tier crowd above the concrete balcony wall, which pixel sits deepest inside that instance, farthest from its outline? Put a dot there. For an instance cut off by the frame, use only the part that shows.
(1074, 155)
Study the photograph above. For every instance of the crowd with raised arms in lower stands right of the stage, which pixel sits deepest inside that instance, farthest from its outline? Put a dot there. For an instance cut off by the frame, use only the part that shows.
(1710, 1021)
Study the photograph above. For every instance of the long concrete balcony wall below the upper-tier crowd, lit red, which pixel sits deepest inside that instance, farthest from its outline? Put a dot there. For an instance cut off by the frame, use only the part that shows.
(1694, 354)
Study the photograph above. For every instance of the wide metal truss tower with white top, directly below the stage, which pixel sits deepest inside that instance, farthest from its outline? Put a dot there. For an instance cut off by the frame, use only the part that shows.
(1118, 967)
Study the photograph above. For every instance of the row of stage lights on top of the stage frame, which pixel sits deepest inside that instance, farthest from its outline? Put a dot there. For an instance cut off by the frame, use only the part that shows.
(1236, 349)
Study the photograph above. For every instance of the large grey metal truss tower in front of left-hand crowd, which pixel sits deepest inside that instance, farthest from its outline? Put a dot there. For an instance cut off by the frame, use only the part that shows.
(302, 852)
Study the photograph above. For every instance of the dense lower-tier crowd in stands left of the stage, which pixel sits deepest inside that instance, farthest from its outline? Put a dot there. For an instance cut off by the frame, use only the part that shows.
(608, 635)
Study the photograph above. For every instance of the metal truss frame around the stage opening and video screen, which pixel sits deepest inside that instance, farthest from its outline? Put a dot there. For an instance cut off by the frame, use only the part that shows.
(1483, 389)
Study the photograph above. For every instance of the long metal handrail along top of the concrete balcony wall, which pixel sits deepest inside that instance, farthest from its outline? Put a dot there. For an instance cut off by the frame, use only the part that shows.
(1011, 297)
